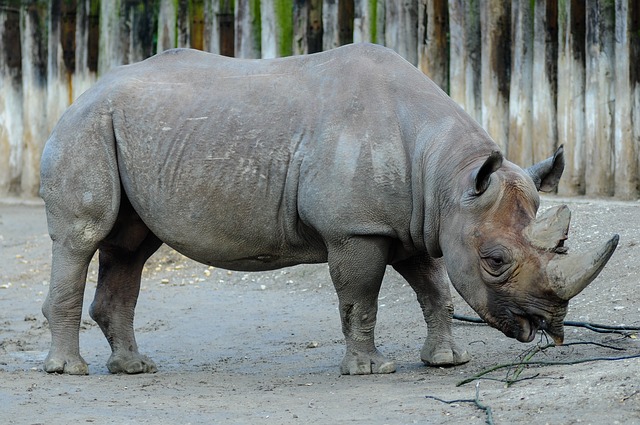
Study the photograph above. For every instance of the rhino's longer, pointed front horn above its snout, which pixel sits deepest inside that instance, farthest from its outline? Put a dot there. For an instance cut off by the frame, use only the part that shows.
(570, 274)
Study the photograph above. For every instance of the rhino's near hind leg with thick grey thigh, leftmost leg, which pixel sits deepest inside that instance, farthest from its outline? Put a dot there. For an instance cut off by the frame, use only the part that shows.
(80, 192)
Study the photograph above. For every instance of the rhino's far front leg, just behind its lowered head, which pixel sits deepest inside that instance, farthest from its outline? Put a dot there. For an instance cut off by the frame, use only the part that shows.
(428, 278)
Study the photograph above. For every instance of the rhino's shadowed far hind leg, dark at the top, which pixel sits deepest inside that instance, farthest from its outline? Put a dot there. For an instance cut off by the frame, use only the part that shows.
(121, 257)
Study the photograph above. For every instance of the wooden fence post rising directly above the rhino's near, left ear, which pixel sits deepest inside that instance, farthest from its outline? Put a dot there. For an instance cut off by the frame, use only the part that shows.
(495, 68)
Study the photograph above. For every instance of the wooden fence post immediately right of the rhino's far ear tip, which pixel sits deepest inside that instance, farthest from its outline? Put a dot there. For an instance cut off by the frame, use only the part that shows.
(570, 101)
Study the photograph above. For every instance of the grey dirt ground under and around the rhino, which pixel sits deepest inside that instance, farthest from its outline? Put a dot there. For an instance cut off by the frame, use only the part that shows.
(264, 348)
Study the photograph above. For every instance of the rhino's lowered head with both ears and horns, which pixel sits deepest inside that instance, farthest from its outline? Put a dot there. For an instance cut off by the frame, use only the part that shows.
(493, 237)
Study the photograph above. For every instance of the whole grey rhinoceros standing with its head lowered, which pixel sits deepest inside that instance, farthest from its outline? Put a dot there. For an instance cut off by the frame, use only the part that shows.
(351, 157)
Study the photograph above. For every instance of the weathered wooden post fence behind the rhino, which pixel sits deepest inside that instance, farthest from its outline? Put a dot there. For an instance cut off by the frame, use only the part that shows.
(535, 75)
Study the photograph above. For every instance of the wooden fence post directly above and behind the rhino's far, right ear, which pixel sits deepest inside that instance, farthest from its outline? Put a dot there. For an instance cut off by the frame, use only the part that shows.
(545, 40)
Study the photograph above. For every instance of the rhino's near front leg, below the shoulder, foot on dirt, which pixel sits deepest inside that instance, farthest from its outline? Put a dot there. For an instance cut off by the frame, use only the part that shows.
(357, 267)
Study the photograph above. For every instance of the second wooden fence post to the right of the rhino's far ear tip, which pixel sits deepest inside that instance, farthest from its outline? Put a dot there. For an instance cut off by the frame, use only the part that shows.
(599, 97)
